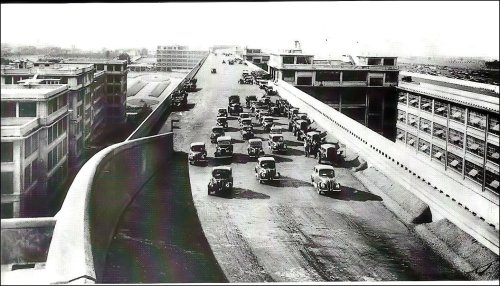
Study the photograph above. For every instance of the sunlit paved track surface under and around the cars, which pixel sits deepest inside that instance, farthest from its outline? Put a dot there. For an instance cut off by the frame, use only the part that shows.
(287, 232)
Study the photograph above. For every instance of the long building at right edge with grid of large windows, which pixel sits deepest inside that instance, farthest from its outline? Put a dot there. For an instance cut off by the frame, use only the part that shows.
(455, 124)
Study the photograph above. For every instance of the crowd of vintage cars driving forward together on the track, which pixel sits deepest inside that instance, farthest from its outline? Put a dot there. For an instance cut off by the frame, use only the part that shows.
(322, 177)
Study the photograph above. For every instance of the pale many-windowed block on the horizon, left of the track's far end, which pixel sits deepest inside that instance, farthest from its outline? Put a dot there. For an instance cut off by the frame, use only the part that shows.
(177, 57)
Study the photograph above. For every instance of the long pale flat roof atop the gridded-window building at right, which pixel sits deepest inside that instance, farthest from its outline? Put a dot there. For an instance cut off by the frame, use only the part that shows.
(463, 97)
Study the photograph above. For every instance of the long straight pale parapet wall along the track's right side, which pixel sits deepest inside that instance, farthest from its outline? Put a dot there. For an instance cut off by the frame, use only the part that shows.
(400, 164)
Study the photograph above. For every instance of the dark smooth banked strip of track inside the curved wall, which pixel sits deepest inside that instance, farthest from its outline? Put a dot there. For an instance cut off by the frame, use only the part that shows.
(159, 238)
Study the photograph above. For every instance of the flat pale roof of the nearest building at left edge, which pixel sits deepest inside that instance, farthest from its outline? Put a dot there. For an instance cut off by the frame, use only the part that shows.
(31, 91)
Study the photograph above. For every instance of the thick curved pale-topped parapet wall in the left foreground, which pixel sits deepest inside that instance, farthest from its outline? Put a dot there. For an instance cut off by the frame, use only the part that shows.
(101, 191)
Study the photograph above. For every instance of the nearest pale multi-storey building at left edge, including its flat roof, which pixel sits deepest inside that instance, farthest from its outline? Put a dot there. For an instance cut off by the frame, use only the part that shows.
(34, 137)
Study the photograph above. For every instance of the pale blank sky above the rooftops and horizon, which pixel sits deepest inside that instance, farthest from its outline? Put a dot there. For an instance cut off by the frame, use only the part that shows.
(427, 28)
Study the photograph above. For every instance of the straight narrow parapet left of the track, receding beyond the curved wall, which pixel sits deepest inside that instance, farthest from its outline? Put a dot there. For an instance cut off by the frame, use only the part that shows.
(163, 109)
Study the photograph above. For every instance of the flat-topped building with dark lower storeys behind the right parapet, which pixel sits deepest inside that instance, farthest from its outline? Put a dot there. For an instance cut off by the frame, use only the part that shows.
(362, 88)
